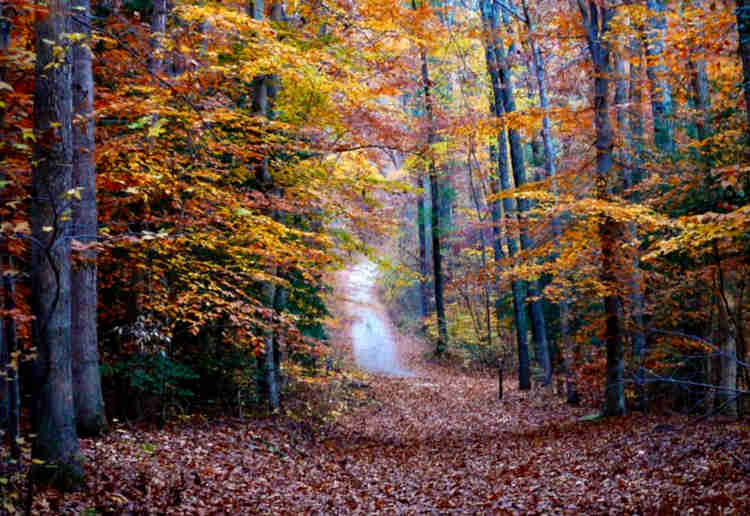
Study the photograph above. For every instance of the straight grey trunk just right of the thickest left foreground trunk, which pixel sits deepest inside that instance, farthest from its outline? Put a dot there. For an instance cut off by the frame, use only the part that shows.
(87, 388)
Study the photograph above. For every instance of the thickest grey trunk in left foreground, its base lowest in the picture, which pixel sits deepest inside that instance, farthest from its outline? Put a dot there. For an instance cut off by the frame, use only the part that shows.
(54, 416)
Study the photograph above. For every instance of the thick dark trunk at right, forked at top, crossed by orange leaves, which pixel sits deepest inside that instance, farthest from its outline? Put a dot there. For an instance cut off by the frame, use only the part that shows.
(596, 19)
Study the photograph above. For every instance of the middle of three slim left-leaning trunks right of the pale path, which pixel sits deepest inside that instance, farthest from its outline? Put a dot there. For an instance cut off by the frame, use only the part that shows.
(538, 326)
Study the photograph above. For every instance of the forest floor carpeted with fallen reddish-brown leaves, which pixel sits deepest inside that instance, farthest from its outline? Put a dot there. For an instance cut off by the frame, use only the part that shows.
(437, 442)
